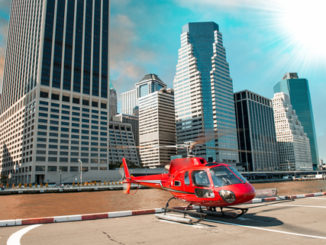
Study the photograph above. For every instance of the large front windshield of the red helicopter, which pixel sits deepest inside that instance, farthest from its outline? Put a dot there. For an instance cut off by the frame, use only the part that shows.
(222, 176)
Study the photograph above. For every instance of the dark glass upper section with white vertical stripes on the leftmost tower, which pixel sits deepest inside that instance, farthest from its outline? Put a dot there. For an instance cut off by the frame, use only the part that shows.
(75, 47)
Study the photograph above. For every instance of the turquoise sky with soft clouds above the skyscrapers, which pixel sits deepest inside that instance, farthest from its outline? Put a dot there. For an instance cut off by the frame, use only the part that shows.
(263, 41)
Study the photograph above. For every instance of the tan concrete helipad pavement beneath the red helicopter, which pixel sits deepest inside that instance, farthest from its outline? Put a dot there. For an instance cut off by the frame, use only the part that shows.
(302, 221)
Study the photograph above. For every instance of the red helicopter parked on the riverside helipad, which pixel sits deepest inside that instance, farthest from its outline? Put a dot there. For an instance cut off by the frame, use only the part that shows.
(197, 182)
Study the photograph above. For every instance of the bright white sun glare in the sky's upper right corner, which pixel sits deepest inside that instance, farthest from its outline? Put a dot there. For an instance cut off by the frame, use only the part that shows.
(303, 24)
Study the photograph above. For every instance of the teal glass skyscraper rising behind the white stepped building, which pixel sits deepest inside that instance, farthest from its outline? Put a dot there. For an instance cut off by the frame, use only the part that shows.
(298, 91)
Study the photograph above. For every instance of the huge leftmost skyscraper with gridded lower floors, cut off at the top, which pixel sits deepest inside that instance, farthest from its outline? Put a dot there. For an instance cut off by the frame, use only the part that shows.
(55, 90)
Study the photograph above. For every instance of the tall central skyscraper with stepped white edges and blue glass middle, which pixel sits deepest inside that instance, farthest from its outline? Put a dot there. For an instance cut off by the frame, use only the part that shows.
(204, 93)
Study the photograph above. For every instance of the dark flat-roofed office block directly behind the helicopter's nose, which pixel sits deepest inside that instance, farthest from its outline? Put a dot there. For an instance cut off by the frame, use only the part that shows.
(256, 132)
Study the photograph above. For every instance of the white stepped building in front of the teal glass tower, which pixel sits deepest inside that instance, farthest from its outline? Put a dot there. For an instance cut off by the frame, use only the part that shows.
(293, 143)
